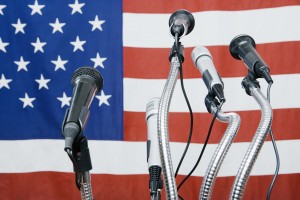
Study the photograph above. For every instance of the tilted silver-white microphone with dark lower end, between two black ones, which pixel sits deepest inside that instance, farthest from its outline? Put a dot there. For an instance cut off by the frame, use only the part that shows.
(204, 63)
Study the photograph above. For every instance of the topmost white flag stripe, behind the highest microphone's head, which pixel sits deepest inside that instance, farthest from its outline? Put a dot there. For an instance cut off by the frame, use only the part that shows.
(214, 27)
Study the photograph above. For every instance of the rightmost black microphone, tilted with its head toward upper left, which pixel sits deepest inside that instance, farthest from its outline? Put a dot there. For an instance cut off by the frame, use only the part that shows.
(242, 47)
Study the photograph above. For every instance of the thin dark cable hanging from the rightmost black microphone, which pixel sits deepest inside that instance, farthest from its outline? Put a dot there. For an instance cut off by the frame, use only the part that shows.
(275, 149)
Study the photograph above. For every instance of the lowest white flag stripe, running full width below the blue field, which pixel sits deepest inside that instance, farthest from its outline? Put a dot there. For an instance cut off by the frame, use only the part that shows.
(117, 157)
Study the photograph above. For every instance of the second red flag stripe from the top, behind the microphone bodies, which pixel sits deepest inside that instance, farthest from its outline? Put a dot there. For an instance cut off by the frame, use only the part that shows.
(153, 63)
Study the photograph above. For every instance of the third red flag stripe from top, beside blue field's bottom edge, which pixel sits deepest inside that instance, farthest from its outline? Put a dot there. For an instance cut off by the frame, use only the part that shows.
(285, 126)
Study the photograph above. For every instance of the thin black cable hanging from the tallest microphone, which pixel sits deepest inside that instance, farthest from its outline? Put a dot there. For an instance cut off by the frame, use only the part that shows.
(188, 104)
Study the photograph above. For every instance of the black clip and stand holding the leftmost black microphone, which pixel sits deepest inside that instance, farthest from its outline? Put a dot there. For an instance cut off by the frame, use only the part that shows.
(80, 155)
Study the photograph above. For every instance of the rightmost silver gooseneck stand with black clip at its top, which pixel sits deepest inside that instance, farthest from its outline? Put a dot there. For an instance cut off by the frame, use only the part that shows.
(253, 89)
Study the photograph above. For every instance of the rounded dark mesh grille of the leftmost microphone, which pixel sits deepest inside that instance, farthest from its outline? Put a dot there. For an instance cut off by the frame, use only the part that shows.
(91, 72)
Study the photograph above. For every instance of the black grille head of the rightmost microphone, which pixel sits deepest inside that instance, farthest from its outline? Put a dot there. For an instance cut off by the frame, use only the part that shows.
(237, 42)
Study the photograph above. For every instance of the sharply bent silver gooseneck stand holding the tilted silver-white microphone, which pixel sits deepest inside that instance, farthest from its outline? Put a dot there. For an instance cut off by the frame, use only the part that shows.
(217, 159)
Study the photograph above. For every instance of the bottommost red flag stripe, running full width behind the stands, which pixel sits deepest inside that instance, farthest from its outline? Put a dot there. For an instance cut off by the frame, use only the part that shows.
(61, 186)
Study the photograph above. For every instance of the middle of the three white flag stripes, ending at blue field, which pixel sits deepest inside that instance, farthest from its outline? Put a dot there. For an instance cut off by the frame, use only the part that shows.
(137, 93)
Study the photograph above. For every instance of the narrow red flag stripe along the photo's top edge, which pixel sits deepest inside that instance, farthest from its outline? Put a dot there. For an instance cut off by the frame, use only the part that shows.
(161, 6)
